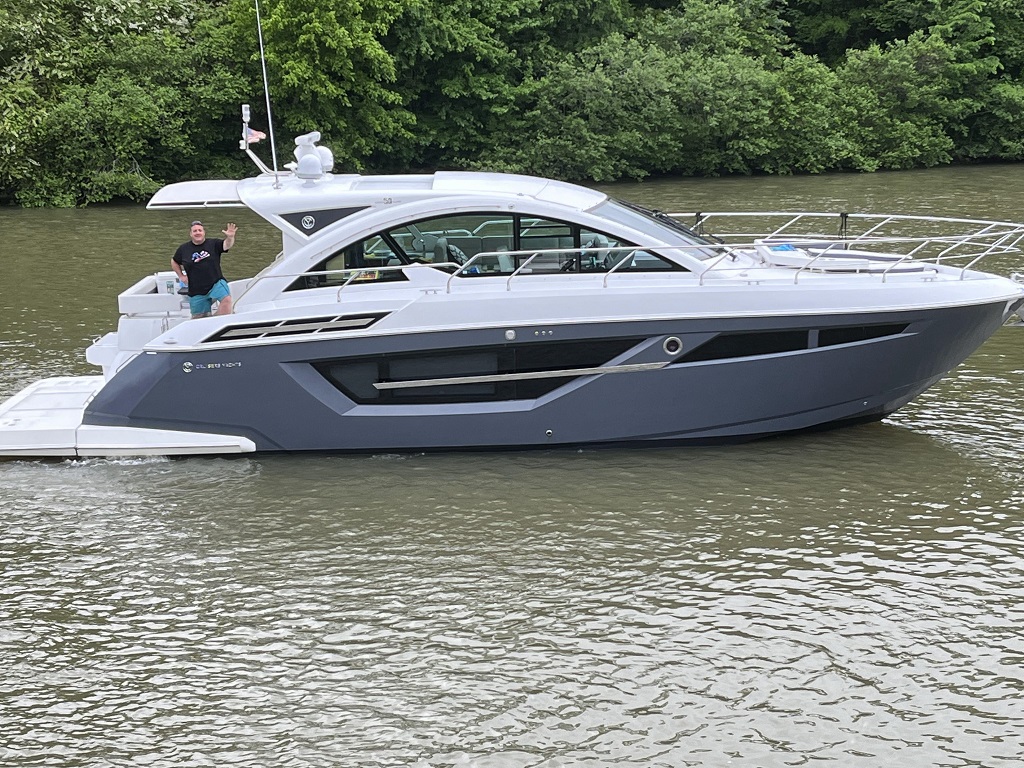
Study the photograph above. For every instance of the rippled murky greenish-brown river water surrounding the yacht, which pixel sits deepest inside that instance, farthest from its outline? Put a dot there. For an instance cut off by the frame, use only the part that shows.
(849, 599)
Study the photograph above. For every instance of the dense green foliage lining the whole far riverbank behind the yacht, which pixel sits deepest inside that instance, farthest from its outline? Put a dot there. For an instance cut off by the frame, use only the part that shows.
(108, 100)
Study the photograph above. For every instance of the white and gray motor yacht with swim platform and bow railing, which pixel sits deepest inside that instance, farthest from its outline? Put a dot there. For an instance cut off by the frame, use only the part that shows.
(460, 311)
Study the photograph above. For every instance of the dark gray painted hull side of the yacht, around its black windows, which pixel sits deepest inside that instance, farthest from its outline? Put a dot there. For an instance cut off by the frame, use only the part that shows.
(275, 397)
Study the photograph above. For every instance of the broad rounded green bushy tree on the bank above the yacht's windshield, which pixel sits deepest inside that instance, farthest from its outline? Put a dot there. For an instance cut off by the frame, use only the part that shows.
(711, 90)
